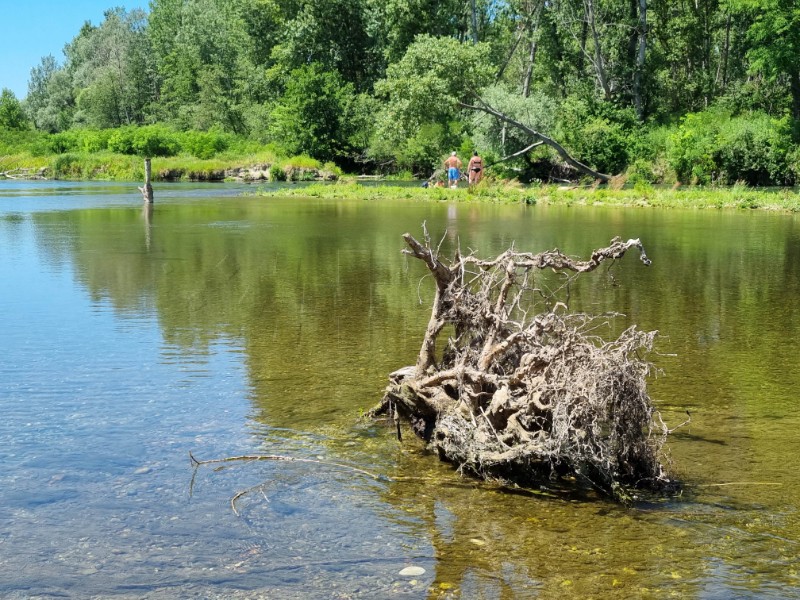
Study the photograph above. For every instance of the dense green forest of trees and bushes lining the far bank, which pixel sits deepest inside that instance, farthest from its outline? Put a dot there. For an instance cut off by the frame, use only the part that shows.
(695, 91)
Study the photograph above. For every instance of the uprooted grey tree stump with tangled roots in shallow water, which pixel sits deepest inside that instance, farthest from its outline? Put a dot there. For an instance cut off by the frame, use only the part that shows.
(525, 396)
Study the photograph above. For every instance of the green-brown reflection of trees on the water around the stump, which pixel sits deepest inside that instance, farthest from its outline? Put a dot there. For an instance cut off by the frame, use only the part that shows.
(324, 307)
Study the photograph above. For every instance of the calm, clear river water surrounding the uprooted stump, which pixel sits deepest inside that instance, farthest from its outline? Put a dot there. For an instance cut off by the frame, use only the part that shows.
(225, 325)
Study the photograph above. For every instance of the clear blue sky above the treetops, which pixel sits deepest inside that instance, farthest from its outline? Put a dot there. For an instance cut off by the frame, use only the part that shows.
(30, 30)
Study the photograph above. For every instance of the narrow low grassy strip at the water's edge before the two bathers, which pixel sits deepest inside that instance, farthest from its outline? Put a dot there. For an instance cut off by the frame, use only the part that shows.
(736, 197)
